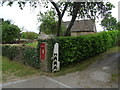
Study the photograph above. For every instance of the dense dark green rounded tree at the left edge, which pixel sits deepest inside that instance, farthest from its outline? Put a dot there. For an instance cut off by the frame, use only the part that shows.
(10, 32)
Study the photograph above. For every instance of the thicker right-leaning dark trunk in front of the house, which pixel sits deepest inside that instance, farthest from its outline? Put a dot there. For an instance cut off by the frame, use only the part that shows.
(76, 8)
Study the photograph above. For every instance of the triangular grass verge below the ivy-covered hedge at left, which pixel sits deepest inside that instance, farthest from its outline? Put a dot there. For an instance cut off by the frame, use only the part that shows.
(12, 70)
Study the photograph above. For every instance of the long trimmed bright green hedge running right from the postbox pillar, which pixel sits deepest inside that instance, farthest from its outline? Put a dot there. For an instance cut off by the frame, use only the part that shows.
(74, 49)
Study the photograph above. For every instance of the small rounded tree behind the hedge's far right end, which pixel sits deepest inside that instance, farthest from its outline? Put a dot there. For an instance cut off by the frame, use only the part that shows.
(109, 23)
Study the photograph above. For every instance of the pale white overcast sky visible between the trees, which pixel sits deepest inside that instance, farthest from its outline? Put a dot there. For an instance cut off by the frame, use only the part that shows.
(27, 17)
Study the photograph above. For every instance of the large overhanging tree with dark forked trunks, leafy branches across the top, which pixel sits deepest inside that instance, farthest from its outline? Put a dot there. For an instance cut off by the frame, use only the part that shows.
(76, 9)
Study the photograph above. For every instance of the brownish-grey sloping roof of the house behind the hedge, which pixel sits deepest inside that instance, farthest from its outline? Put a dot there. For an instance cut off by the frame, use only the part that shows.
(82, 26)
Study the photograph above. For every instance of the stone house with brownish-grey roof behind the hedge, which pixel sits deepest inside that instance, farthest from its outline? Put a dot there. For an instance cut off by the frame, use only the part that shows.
(82, 27)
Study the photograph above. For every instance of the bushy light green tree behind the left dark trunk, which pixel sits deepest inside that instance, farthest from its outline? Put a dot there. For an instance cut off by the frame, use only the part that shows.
(49, 23)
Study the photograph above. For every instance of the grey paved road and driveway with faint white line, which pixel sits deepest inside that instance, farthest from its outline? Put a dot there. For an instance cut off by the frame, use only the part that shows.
(96, 75)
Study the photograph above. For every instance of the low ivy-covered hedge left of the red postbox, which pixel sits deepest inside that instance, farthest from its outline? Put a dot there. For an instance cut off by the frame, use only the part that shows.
(25, 55)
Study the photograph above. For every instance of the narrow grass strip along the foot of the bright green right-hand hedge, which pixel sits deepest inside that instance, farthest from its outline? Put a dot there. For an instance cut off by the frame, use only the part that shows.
(84, 64)
